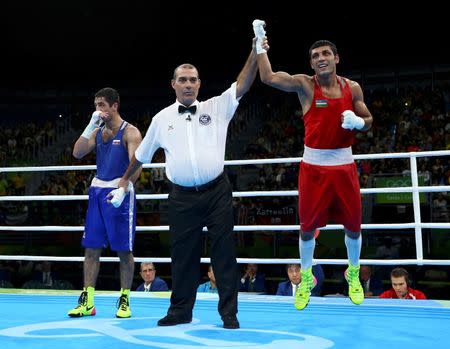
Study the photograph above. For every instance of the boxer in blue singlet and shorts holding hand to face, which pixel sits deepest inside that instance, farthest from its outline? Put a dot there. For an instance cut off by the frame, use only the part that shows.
(115, 143)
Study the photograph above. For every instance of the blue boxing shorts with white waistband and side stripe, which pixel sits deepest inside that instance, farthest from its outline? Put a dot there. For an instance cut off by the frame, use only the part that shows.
(106, 224)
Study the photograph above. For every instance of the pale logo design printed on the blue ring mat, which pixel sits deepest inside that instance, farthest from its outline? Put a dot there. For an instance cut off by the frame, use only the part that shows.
(208, 336)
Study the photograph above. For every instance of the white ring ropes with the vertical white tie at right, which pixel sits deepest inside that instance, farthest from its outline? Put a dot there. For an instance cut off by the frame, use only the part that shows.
(415, 189)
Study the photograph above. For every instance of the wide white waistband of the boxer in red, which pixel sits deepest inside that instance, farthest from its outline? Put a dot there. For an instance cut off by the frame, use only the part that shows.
(328, 157)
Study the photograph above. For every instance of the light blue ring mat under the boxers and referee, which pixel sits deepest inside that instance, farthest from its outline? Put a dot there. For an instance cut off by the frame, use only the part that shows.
(38, 319)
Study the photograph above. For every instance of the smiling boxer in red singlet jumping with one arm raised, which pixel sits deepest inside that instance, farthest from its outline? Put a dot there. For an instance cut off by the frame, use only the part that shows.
(333, 109)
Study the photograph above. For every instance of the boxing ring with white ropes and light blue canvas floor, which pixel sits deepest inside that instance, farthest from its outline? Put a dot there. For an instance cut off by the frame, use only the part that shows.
(37, 318)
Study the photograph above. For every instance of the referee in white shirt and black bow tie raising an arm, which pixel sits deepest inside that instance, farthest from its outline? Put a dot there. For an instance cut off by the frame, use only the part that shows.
(193, 135)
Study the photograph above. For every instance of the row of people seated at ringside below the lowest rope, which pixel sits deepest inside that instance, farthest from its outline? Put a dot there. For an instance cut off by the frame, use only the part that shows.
(49, 275)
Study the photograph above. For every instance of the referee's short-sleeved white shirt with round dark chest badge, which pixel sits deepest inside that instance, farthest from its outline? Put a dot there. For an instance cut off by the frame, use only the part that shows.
(195, 149)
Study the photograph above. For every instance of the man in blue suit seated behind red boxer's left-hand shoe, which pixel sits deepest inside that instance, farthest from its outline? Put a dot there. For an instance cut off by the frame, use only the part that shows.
(289, 287)
